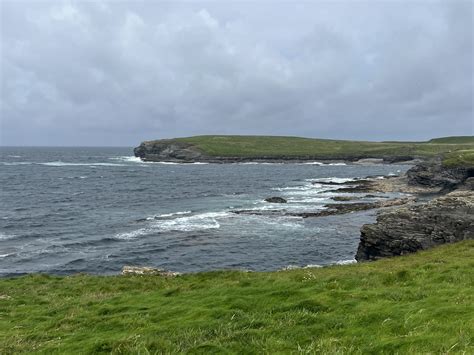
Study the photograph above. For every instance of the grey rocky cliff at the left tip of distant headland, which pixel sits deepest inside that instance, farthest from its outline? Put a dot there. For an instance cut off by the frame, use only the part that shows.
(167, 150)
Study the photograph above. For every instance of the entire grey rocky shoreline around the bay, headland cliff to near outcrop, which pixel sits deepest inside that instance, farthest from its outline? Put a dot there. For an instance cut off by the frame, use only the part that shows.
(438, 206)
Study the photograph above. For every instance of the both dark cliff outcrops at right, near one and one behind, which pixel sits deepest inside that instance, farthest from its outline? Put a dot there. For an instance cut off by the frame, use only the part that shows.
(445, 219)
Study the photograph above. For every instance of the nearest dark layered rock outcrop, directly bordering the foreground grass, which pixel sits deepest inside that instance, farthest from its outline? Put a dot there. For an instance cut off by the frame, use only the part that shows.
(446, 219)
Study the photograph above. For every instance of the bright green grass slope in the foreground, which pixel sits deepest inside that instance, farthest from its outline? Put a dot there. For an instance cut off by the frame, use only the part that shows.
(422, 303)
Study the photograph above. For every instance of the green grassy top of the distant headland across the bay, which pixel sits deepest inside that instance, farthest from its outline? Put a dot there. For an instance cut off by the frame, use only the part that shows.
(253, 146)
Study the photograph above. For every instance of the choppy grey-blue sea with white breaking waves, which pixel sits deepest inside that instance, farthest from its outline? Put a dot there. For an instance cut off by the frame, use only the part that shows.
(94, 210)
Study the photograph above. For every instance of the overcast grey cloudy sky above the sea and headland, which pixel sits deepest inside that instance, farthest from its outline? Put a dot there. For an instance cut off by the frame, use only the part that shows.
(115, 73)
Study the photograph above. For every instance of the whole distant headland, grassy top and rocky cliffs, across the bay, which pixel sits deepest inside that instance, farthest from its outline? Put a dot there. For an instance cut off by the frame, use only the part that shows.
(275, 149)
